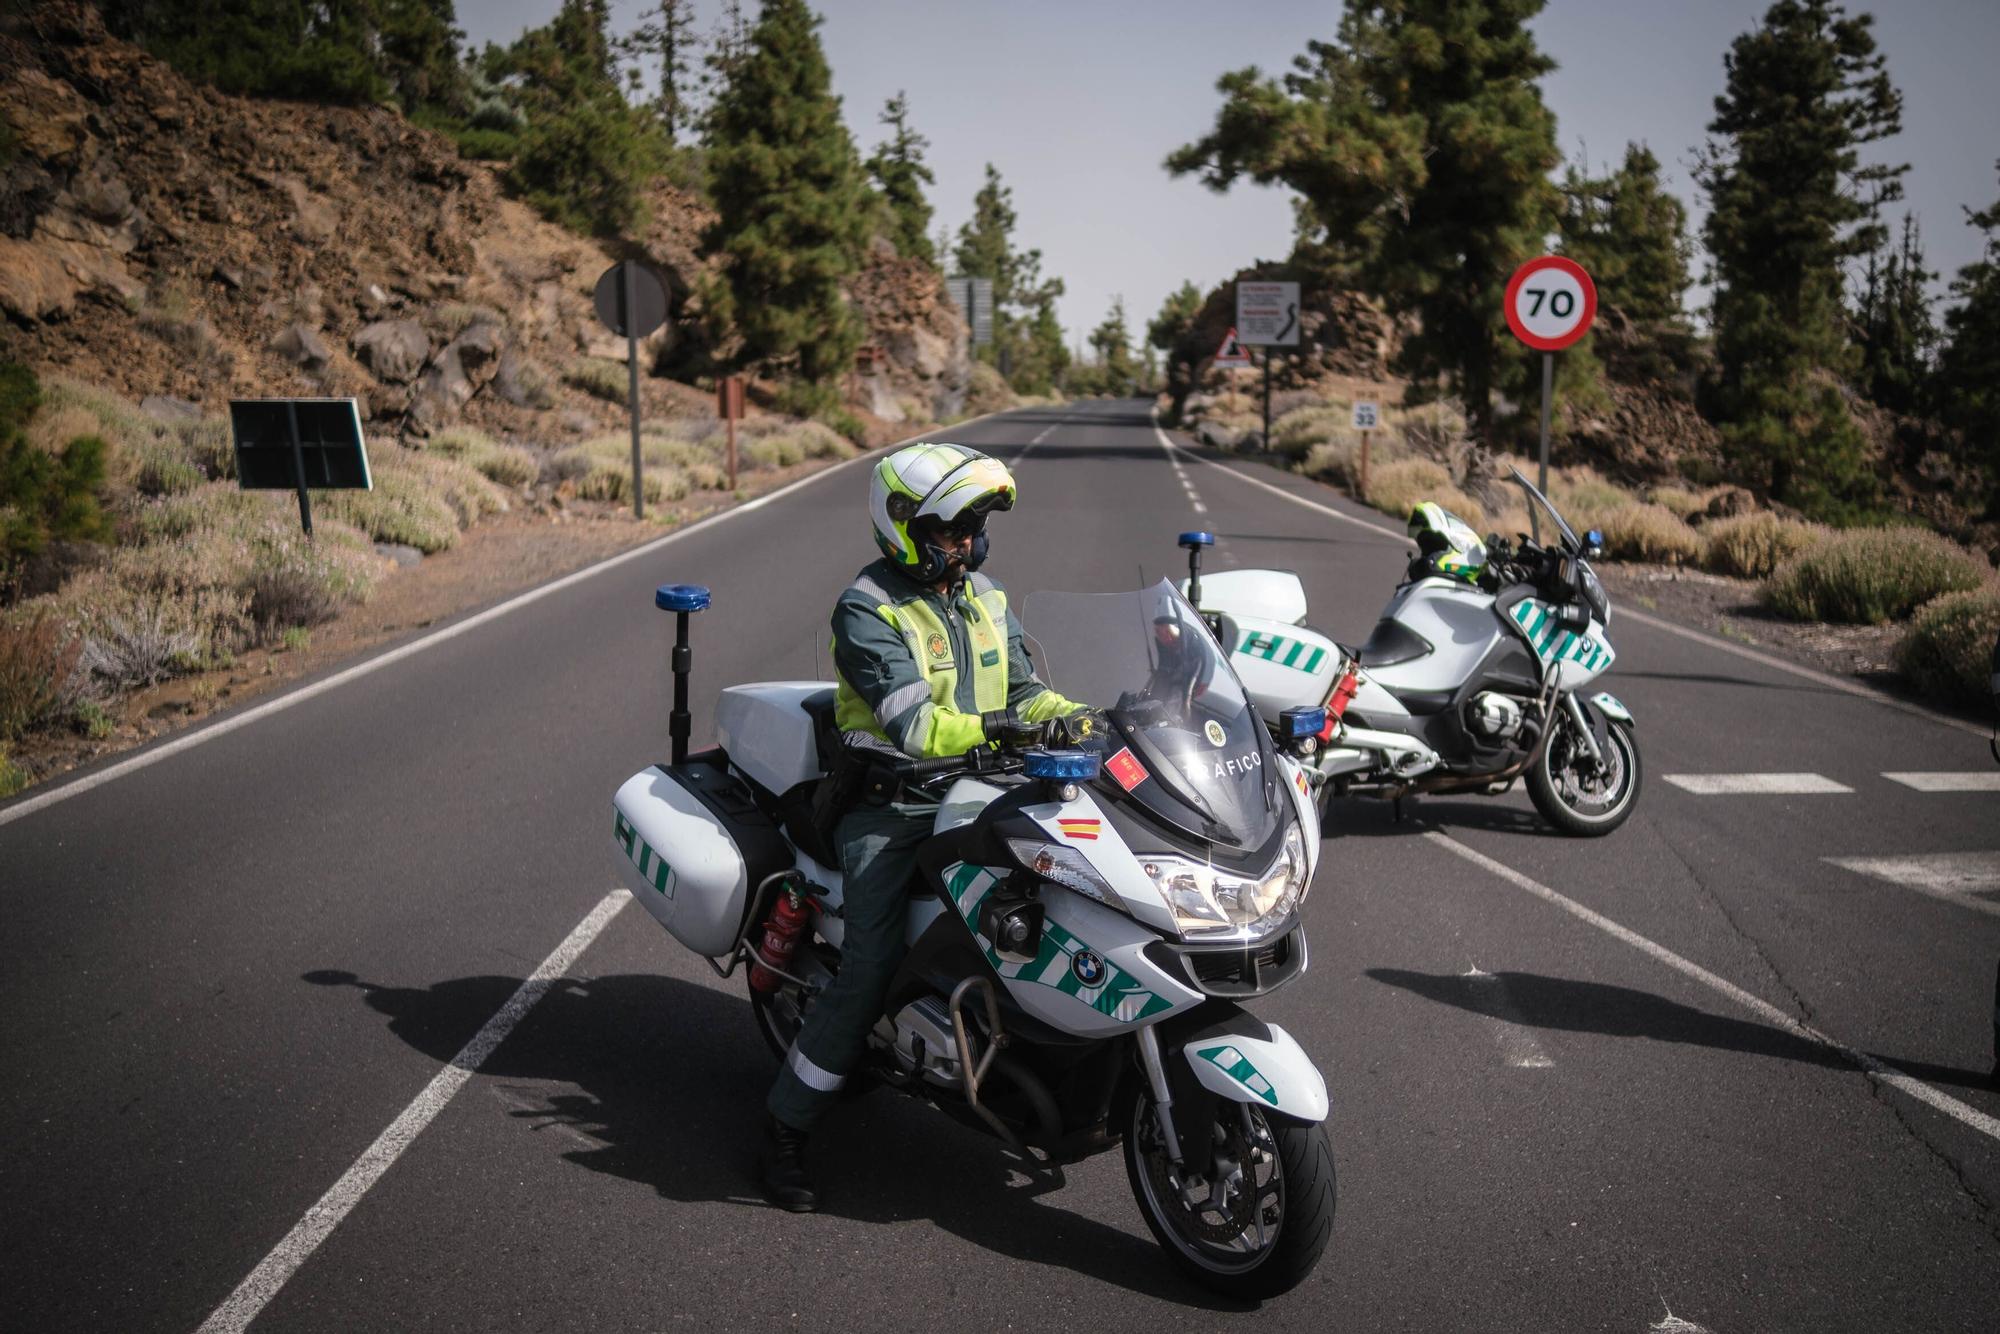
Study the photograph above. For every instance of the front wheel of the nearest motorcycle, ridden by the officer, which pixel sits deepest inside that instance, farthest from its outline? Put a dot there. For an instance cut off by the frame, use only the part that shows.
(1259, 1223)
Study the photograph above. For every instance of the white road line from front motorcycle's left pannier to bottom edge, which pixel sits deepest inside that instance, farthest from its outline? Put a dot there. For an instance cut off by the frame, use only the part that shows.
(319, 1223)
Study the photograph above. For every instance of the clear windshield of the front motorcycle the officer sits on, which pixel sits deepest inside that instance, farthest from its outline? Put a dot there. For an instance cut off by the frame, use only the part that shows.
(1199, 755)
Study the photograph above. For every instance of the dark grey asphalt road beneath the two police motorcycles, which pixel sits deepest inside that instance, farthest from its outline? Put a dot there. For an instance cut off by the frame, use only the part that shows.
(1603, 1085)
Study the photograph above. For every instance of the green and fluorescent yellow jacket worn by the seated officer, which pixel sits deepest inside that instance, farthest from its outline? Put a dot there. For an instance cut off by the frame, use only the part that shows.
(919, 669)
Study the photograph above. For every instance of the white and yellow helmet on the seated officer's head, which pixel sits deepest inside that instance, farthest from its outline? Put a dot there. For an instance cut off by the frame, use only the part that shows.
(947, 483)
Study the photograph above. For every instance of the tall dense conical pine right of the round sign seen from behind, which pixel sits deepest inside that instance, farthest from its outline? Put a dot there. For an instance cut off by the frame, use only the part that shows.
(791, 201)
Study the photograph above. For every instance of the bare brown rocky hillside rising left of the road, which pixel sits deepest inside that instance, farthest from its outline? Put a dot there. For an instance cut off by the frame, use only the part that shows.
(167, 241)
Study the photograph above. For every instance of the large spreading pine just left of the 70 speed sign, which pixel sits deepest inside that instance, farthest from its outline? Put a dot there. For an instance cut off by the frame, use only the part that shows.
(1421, 149)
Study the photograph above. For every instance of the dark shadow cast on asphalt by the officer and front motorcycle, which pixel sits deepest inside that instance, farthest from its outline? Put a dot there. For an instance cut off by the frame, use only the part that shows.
(669, 1079)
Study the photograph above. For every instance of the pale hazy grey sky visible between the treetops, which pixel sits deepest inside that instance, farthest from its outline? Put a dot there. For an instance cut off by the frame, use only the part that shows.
(1079, 101)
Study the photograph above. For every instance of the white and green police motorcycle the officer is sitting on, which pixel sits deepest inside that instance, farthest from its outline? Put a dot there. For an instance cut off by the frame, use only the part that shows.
(1083, 933)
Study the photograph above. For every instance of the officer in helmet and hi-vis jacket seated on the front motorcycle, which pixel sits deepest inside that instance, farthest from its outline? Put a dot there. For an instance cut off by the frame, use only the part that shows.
(931, 663)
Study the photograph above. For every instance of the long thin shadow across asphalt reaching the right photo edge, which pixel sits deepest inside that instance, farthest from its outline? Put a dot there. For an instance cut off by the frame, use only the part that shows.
(1567, 1005)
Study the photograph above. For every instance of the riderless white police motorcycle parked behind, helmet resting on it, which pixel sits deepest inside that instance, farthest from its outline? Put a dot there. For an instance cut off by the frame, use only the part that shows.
(1477, 675)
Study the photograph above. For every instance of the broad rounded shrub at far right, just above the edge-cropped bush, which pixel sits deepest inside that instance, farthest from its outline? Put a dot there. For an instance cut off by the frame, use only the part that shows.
(1871, 575)
